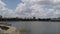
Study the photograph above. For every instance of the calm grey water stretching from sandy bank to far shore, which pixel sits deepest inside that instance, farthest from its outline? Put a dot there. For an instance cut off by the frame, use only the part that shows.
(37, 27)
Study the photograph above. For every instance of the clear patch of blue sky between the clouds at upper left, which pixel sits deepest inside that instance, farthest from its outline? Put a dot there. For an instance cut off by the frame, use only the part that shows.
(11, 4)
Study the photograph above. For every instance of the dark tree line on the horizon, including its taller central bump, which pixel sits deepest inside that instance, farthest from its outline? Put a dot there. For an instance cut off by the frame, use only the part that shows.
(26, 19)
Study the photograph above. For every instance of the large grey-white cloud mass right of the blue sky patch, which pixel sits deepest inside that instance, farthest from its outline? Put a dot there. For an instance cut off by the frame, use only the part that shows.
(39, 8)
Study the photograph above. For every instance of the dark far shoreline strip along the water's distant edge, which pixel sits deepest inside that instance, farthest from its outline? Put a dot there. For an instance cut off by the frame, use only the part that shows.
(20, 19)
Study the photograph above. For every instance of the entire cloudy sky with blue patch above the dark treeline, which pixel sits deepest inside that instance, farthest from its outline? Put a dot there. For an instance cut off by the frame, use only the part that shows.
(30, 8)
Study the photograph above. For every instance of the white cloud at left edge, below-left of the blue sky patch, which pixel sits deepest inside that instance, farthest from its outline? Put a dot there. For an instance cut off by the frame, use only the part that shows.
(5, 12)
